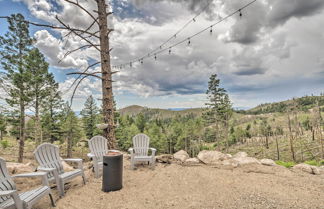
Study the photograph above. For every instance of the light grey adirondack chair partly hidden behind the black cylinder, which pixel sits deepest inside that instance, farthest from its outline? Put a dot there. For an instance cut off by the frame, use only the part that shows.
(98, 148)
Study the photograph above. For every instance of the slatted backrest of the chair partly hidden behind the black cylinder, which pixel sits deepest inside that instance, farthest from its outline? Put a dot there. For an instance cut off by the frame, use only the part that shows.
(98, 146)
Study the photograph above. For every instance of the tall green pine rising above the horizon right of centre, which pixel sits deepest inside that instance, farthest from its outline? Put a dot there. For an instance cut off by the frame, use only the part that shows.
(219, 106)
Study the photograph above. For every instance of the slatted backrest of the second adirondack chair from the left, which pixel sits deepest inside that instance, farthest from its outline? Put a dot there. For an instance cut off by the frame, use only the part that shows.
(48, 156)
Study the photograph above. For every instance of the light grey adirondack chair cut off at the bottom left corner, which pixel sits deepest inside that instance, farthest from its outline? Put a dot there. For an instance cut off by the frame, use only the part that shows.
(10, 198)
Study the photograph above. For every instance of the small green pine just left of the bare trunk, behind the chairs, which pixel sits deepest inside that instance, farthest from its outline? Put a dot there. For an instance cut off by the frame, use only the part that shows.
(89, 116)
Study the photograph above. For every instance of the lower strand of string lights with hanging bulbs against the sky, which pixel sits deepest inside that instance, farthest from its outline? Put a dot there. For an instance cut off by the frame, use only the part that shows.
(188, 39)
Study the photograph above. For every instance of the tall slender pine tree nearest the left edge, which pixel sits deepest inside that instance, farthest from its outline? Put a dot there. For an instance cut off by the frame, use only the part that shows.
(14, 47)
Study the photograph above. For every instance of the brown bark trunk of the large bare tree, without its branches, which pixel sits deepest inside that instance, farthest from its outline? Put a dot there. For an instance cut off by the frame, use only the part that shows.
(107, 93)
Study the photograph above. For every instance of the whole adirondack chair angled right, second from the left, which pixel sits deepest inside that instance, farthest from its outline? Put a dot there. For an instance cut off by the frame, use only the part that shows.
(48, 157)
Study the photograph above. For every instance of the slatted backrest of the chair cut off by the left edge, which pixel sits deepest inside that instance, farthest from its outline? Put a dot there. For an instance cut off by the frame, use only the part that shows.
(6, 182)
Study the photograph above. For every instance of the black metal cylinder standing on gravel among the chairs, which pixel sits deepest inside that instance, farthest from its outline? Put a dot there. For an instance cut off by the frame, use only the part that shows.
(112, 176)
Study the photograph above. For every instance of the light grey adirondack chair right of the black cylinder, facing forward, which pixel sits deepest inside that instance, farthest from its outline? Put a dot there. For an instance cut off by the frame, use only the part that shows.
(139, 151)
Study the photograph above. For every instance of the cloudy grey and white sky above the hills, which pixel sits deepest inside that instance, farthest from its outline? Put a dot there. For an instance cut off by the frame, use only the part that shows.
(274, 51)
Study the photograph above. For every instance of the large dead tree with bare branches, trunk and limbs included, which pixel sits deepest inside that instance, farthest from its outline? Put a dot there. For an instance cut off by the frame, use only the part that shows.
(100, 41)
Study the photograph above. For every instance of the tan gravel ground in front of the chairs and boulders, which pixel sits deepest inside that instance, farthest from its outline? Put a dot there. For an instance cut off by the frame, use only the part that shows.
(176, 186)
